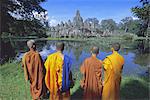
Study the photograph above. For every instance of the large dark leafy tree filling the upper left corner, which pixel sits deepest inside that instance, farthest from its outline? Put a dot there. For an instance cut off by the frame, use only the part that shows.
(17, 16)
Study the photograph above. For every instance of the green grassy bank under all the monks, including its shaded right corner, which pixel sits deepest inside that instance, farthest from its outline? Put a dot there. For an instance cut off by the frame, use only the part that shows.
(14, 87)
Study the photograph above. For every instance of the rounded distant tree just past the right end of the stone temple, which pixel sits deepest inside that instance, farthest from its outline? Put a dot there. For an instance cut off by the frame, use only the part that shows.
(108, 24)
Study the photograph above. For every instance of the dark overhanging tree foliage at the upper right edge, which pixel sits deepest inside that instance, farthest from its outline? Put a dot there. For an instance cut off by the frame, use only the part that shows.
(143, 13)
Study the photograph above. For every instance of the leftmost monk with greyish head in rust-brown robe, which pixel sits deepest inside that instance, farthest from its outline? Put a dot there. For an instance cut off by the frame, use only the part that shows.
(34, 71)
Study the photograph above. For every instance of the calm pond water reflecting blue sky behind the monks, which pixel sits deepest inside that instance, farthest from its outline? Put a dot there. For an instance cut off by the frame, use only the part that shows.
(78, 51)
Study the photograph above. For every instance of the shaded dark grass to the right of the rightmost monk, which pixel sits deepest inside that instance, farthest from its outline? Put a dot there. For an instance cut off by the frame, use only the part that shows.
(135, 88)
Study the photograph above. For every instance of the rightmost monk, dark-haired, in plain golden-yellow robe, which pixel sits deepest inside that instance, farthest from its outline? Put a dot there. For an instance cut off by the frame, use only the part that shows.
(113, 65)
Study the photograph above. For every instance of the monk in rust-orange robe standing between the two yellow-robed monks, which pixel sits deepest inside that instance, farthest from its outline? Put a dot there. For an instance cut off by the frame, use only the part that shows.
(92, 76)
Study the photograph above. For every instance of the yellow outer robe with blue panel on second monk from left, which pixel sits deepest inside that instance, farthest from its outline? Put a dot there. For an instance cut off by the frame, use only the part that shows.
(57, 73)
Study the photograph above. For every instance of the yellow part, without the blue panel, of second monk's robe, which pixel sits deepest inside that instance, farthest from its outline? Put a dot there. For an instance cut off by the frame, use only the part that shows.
(53, 78)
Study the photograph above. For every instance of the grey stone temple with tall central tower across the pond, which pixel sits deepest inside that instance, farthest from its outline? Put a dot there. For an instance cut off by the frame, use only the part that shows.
(77, 28)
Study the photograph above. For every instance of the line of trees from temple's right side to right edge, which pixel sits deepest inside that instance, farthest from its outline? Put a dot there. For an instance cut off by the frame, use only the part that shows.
(139, 26)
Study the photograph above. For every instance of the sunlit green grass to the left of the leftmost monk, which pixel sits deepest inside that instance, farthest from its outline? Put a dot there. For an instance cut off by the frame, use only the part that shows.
(12, 83)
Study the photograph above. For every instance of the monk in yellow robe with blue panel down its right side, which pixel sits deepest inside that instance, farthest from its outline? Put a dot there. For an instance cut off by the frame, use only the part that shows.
(58, 77)
